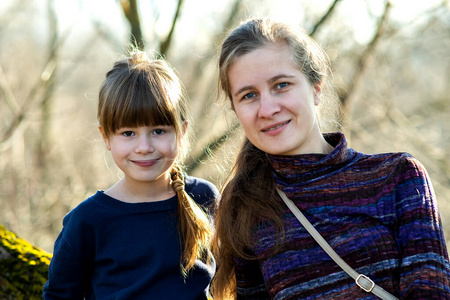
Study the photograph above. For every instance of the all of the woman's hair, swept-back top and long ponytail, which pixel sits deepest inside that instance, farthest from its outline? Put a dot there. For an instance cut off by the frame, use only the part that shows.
(249, 197)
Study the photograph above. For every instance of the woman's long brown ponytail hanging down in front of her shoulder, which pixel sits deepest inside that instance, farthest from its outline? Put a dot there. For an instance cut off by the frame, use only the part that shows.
(246, 200)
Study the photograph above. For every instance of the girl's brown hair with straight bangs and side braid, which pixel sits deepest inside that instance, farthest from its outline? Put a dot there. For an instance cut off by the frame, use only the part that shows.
(137, 92)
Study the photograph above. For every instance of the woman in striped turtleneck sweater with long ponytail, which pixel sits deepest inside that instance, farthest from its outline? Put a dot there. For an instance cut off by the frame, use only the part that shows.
(378, 212)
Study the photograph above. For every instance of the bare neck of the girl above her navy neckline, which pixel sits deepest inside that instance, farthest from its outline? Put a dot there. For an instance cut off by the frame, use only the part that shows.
(133, 192)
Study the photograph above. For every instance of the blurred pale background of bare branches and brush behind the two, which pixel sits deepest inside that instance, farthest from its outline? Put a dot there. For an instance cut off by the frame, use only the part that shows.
(390, 61)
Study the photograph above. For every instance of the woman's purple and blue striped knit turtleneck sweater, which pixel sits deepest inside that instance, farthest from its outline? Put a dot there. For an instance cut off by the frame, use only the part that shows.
(378, 212)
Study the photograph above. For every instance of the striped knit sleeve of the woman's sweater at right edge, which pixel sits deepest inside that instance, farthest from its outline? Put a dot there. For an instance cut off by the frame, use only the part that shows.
(424, 264)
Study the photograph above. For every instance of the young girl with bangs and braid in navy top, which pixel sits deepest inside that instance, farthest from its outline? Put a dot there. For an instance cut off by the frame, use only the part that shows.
(147, 236)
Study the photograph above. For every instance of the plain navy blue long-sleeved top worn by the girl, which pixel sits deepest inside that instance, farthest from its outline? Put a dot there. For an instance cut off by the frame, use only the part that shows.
(109, 249)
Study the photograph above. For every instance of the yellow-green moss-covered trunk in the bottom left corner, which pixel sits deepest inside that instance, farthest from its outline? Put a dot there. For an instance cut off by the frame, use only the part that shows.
(23, 267)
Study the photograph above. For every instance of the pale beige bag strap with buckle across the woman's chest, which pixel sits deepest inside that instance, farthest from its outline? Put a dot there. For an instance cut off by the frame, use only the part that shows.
(361, 280)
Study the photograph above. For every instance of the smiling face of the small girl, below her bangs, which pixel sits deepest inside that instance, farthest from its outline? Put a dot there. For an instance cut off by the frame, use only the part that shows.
(144, 154)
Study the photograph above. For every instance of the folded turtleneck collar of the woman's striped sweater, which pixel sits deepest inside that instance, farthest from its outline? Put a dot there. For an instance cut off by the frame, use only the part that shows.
(297, 170)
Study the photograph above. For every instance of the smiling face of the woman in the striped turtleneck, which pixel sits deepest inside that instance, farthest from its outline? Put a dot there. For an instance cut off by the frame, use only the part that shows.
(274, 102)
